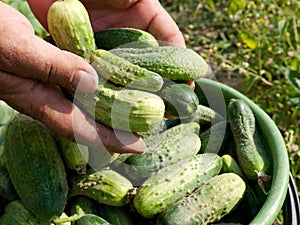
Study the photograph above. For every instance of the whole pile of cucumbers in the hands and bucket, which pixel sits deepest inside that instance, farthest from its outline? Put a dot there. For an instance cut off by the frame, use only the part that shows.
(200, 167)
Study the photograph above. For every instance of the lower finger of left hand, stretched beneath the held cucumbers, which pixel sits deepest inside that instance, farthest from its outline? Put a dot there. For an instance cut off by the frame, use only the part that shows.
(48, 104)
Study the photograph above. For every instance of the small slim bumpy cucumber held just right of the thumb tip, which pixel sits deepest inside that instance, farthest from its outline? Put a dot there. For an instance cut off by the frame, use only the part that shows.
(122, 72)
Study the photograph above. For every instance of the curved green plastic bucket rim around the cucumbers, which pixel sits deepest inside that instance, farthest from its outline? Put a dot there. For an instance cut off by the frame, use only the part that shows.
(217, 96)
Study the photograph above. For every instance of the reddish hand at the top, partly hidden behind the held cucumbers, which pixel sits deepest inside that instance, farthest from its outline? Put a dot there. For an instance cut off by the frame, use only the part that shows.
(146, 15)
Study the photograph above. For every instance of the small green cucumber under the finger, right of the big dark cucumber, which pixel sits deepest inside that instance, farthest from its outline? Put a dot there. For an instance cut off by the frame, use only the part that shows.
(75, 155)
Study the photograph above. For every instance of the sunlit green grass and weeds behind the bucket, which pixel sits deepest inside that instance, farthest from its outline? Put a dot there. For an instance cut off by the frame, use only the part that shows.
(255, 48)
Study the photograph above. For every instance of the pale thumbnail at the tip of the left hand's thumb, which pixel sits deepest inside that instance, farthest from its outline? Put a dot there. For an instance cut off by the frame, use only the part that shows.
(85, 81)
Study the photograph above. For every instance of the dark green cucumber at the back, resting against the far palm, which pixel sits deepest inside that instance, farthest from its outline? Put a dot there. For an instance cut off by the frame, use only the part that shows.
(124, 37)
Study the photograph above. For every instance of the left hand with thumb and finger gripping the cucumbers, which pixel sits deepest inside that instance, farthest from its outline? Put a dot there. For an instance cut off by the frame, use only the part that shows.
(31, 74)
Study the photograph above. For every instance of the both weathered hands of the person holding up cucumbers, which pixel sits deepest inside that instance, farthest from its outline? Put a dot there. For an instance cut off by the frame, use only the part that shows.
(32, 70)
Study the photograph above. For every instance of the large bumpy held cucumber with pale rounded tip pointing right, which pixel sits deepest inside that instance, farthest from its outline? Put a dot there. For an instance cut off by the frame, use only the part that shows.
(171, 62)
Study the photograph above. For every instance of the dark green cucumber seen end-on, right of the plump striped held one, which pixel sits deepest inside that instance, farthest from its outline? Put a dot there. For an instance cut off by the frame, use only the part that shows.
(180, 101)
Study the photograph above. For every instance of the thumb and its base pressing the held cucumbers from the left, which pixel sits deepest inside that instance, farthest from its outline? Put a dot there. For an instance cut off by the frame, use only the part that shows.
(32, 57)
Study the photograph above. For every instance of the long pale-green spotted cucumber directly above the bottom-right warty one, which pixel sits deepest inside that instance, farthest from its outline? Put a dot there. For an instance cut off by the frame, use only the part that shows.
(173, 182)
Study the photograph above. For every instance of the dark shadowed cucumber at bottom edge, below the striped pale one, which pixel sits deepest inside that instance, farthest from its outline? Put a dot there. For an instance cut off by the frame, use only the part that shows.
(115, 215)
